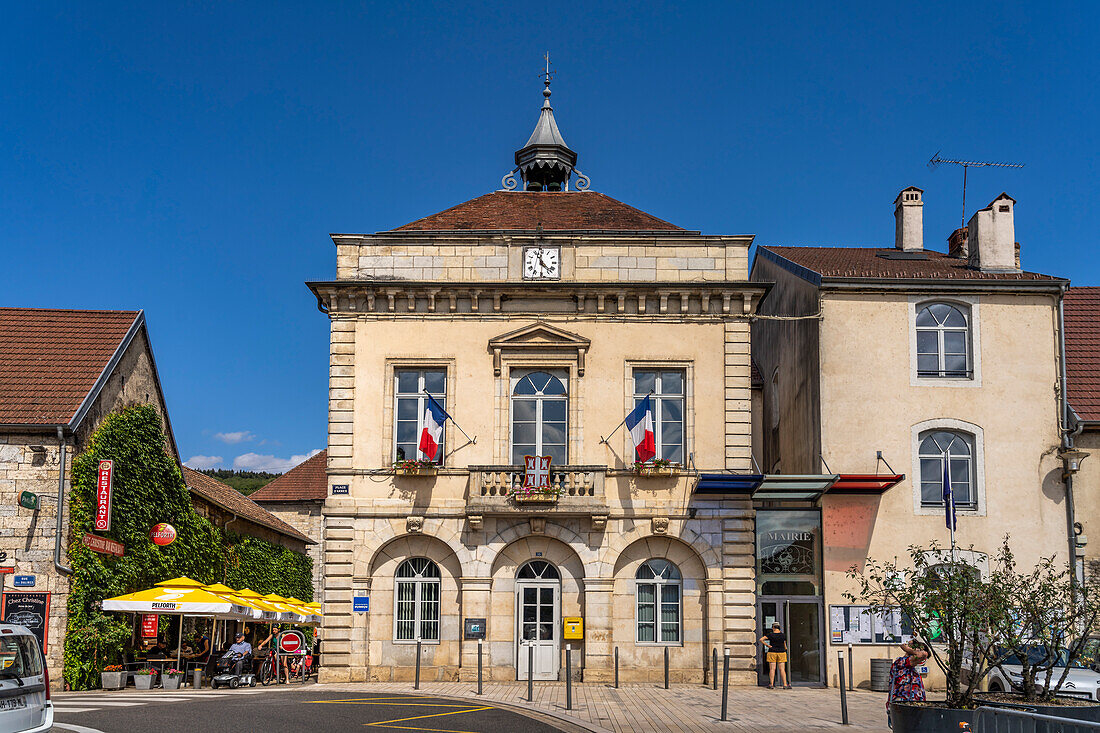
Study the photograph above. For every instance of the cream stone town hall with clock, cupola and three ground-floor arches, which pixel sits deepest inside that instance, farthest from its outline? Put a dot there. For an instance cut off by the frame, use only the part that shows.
(538, 319)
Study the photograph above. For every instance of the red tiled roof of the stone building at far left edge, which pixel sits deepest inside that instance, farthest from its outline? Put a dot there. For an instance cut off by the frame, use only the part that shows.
(51, 359)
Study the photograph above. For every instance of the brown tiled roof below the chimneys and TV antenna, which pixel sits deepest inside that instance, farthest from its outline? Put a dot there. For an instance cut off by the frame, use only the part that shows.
(843, 262)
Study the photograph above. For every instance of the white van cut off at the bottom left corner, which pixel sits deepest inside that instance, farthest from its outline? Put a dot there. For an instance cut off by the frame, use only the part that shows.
(25, 683)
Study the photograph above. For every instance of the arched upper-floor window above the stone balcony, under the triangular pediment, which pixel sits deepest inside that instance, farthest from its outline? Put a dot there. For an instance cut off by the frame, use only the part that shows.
(540, 425)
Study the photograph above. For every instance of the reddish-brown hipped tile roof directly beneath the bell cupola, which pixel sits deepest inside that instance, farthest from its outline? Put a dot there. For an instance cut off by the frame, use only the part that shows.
(555, 212)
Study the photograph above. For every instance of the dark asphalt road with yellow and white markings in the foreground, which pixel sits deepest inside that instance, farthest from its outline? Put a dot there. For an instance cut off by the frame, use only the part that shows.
(303, 710)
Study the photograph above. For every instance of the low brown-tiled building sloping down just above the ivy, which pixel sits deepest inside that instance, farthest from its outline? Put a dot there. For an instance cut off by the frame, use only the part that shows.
(233, 512)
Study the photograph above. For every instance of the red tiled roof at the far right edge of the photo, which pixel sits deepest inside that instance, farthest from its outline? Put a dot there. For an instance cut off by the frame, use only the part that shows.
(1083, 352)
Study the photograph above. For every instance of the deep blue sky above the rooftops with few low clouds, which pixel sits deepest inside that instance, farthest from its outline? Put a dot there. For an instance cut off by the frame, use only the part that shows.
(191, 159)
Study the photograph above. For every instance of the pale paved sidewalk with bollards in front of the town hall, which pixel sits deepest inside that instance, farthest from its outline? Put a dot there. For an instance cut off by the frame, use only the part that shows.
(685, 708)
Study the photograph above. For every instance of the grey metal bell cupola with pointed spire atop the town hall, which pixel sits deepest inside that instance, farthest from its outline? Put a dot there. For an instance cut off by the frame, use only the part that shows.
(546, 163)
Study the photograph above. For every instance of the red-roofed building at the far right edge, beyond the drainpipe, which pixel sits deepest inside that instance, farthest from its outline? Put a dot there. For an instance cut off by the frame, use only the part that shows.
(1083, 385)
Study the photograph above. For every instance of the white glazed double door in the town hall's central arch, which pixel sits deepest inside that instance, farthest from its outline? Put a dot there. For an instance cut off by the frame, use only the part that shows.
(538, 626)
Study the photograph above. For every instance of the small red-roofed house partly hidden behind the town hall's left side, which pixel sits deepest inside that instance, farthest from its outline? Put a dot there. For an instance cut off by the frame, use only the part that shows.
(298, 498)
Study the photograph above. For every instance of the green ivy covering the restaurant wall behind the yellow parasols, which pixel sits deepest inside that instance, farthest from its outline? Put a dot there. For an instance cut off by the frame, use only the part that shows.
(149, 488)
